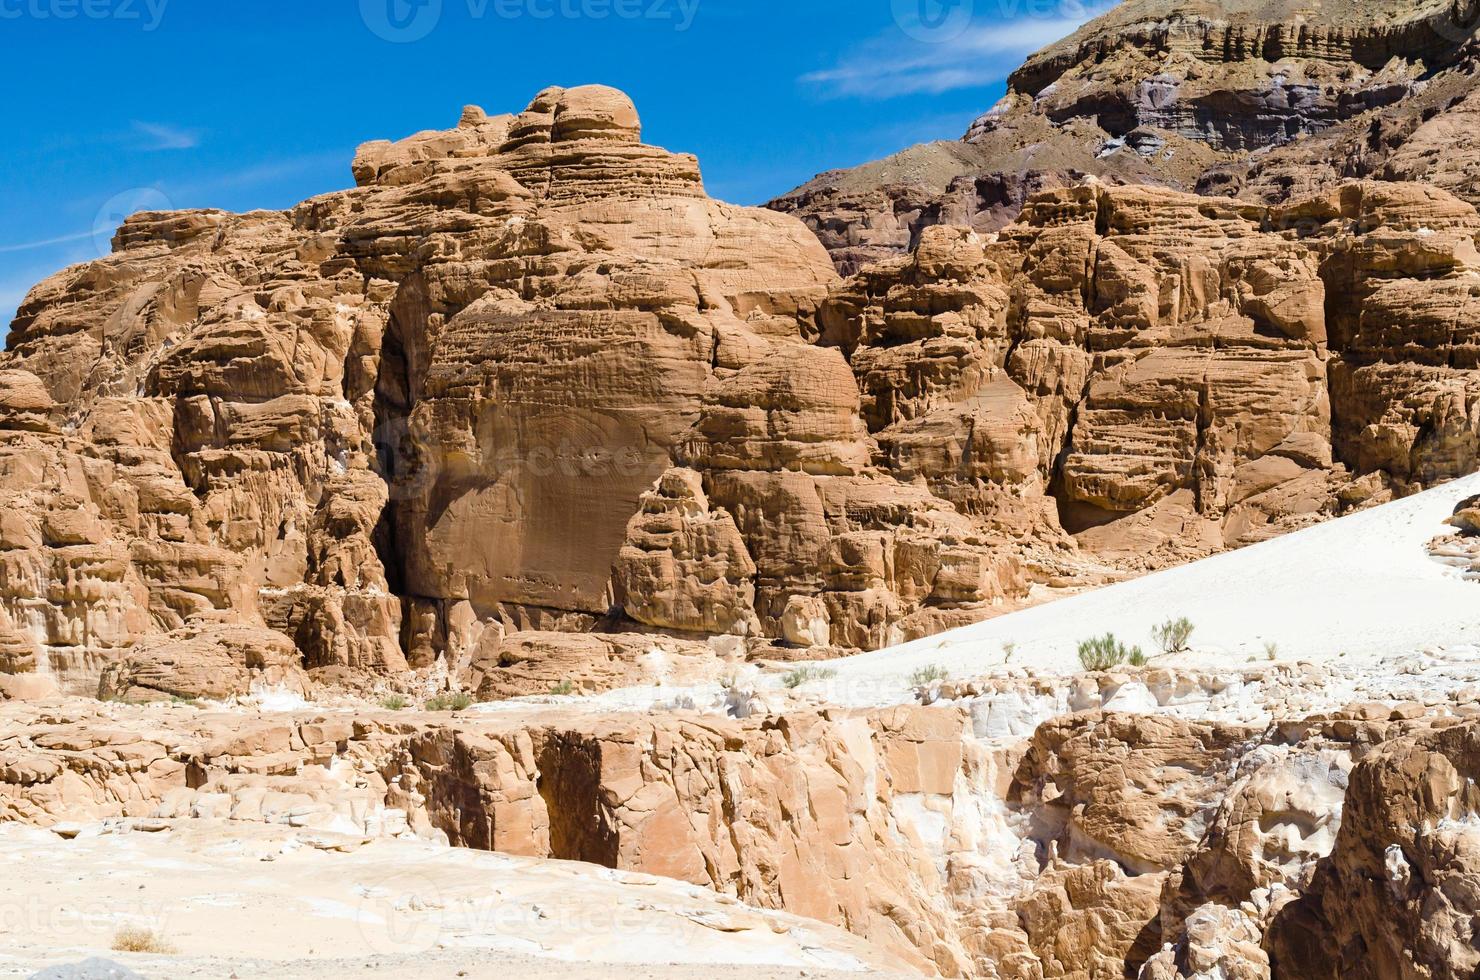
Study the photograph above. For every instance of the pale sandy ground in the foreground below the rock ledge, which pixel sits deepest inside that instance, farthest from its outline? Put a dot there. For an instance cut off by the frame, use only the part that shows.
(246, 901)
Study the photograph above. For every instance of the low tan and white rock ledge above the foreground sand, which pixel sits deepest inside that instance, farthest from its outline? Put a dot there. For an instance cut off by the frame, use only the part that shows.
(1093, 845)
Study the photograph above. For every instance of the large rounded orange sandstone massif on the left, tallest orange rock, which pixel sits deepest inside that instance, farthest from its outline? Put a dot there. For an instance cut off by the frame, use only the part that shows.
(526, 374)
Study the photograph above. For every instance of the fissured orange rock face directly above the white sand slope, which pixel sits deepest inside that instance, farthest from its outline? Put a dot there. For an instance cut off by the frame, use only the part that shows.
(1176, 375)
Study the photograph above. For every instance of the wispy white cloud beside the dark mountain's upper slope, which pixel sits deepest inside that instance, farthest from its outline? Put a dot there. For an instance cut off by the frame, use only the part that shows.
(985, 54)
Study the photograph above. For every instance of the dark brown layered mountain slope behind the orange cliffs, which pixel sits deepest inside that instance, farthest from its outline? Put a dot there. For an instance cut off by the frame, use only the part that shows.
(1186, 95)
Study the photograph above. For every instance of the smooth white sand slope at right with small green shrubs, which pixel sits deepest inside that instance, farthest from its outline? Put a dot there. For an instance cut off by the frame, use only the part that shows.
(1359, 587)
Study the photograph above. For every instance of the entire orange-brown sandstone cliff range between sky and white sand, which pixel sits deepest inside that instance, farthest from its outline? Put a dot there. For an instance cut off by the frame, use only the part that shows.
(529, 381)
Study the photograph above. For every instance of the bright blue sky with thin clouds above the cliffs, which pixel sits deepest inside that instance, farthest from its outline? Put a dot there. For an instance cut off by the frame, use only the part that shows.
(119, 106)
